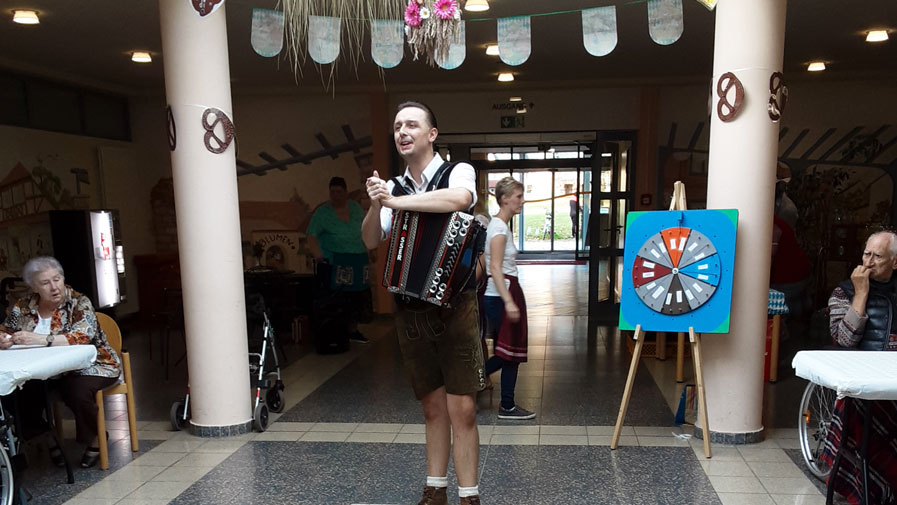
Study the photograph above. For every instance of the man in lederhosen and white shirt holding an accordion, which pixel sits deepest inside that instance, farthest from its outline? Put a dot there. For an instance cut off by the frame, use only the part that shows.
(440, 346)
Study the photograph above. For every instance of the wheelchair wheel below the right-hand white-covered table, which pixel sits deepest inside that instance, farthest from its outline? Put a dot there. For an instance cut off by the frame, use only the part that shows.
(815, 417)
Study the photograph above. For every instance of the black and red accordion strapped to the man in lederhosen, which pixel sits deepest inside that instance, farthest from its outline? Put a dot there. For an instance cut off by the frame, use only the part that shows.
(432, 257)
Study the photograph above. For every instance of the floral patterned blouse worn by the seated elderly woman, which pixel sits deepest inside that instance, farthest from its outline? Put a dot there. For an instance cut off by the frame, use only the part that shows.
(76, 321)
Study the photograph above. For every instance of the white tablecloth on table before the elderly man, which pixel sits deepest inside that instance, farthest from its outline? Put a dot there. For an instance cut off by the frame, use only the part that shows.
(870, 375)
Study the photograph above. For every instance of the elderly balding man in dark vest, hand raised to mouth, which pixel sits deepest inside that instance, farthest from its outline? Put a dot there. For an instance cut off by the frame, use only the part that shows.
(862, 315)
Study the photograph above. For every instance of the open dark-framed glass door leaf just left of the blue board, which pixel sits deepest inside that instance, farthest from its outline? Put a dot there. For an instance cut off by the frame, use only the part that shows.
(610, 200)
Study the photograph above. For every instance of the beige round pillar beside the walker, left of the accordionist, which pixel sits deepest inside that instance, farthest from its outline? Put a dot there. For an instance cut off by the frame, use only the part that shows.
(197, 77)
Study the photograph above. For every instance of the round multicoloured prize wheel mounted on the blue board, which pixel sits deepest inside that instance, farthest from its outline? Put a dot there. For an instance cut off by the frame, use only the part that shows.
(676, 271)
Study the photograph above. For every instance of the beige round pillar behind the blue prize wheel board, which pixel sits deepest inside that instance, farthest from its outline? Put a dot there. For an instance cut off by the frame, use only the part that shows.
(749, 42)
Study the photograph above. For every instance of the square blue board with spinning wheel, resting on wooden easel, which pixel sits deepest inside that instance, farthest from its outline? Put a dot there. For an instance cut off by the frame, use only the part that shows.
(677, 270)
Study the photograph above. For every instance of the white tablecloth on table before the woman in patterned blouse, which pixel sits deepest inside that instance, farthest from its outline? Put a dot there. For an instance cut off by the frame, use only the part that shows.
(20, 364)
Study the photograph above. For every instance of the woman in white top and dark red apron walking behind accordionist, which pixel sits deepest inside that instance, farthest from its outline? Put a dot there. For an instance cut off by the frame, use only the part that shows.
(503, 300)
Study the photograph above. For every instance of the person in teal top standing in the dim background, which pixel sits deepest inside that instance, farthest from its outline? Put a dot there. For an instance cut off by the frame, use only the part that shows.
(334, 237)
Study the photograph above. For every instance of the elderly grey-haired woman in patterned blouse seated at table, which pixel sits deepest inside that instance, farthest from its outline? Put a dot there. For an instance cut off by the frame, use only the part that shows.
(54, 315)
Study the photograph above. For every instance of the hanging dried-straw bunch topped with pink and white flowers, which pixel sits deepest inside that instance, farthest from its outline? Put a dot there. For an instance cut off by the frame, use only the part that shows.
(431, 26)
